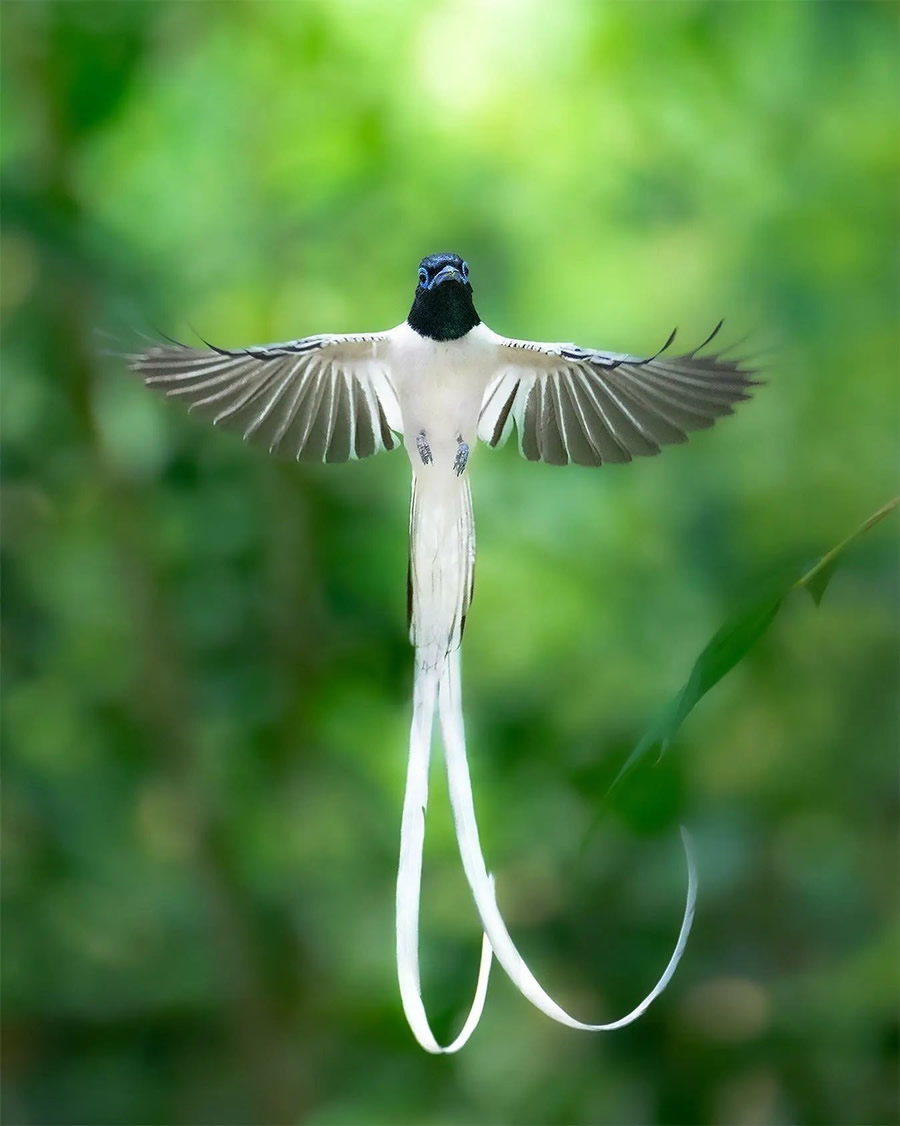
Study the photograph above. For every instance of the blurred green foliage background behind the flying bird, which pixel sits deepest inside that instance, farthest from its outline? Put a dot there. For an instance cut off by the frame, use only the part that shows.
(207, 673)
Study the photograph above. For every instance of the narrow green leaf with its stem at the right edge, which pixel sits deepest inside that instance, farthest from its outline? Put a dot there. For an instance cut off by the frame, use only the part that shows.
(735, 640)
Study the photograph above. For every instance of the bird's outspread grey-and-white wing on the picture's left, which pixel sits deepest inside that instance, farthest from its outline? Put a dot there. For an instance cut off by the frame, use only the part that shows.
(320, 399)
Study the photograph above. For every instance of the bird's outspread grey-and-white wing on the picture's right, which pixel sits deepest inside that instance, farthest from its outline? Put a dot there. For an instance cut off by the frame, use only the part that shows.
(577, 405)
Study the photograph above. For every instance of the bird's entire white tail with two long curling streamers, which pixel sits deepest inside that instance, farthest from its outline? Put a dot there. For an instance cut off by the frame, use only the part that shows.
(442, 561)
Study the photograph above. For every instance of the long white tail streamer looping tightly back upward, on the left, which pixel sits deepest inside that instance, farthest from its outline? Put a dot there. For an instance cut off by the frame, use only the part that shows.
(411, 871)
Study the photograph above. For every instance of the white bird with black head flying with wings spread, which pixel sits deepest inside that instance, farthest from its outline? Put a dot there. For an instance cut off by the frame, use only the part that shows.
(439, 382)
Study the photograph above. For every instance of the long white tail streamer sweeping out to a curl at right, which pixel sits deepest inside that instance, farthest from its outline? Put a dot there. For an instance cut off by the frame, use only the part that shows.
(450, 705)
